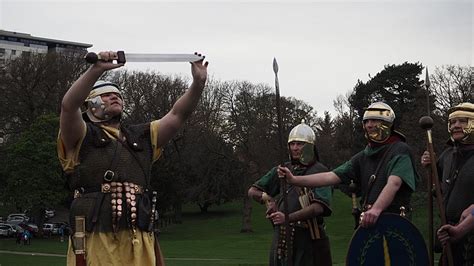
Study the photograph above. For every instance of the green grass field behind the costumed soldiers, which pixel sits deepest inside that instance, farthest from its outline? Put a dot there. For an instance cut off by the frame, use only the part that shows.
(212, 239)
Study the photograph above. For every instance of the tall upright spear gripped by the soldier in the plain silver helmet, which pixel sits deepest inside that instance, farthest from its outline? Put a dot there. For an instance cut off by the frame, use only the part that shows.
(283, 184)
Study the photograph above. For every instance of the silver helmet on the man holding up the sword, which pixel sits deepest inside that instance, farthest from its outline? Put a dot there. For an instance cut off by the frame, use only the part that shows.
(95, 108)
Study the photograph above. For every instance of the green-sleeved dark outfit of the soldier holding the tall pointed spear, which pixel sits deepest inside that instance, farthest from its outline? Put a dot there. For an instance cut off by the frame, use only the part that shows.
(306, 251)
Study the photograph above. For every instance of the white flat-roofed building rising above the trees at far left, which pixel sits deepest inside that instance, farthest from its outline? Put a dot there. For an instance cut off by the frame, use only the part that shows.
(13, 44)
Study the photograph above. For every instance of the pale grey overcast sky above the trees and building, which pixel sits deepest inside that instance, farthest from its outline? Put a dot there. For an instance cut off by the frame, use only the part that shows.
(322, 47)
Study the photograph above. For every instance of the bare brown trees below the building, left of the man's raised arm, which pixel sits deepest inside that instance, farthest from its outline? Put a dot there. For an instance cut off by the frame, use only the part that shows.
(33, 85)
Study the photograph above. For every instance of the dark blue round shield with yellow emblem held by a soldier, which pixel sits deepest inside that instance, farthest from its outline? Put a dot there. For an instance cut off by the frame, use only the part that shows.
(392, 241)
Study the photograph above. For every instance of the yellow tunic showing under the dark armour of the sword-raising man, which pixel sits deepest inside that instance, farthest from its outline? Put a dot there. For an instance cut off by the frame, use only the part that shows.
(109, 248)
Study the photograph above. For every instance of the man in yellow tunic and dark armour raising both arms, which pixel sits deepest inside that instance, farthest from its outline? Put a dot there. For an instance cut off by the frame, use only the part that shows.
(107, 165)
